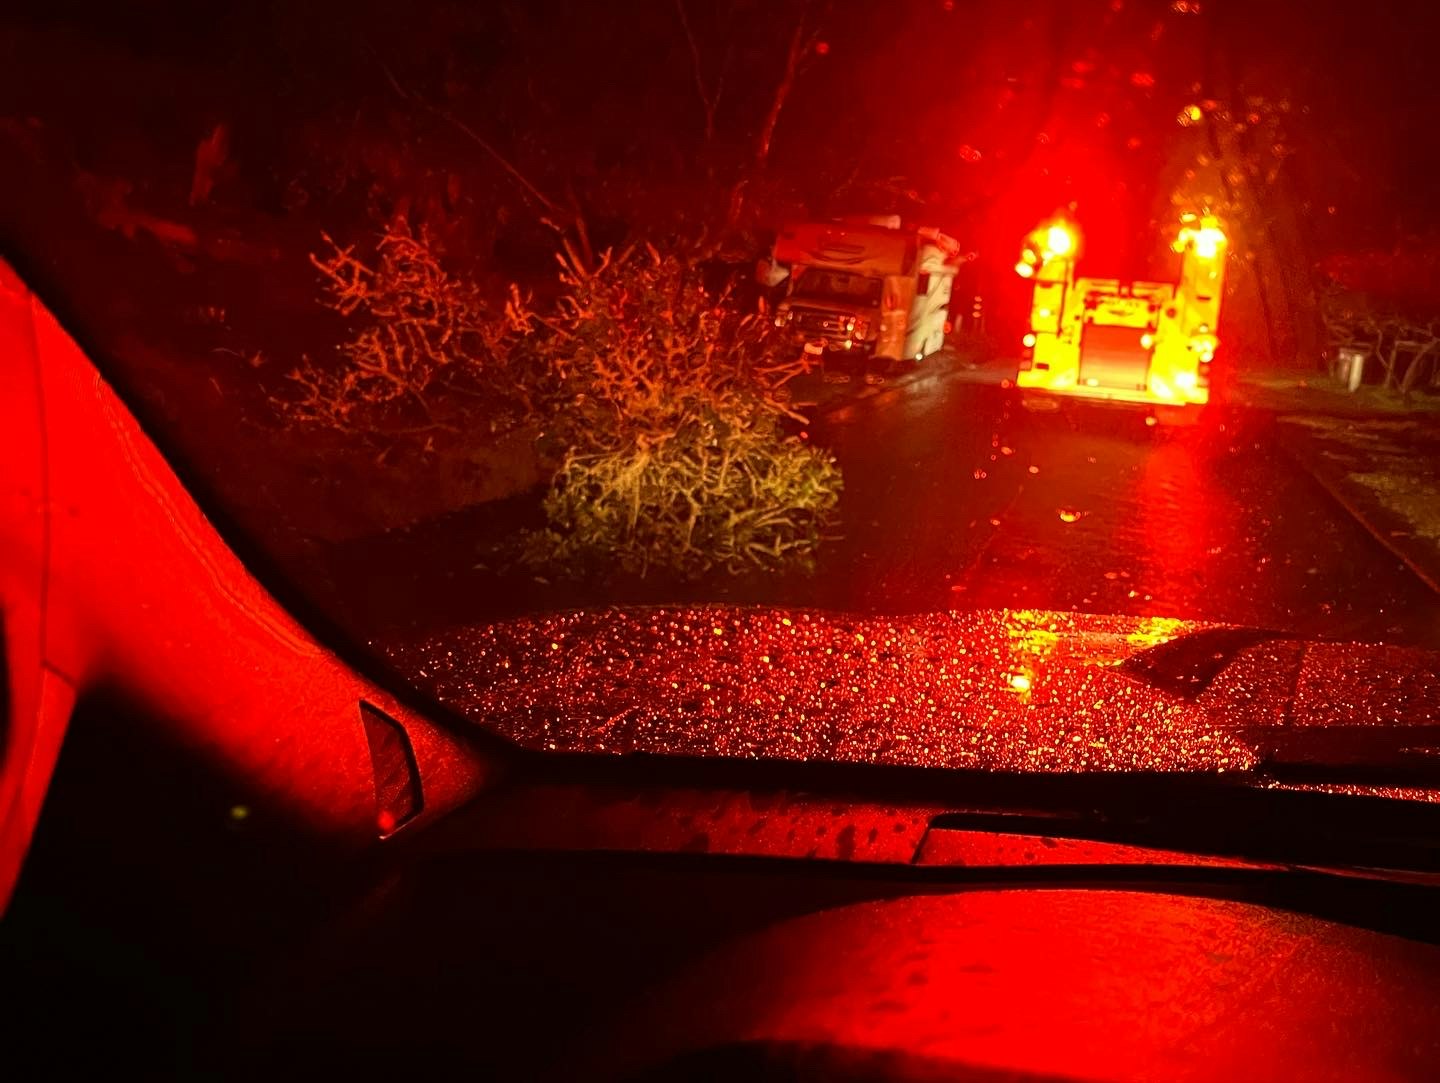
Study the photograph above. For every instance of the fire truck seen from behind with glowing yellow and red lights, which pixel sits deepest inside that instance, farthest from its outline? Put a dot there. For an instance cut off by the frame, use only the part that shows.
(1105, 339)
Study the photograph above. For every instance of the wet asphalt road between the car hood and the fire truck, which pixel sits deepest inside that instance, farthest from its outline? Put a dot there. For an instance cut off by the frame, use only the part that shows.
(957, 498)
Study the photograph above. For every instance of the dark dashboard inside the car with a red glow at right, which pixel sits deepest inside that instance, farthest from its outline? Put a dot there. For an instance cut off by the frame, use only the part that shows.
(204, 947)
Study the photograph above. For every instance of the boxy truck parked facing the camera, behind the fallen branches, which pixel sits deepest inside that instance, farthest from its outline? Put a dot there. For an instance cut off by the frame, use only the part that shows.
(865, 286)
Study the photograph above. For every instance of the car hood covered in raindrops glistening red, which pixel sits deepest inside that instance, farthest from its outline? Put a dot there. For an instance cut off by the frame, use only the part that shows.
(990, 691)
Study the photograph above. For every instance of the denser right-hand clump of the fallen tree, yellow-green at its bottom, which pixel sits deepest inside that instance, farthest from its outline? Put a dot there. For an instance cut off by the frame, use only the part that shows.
(672, 413)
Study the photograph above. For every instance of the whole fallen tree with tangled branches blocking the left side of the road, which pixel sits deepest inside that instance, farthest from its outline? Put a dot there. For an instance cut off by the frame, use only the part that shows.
(663, 404)
